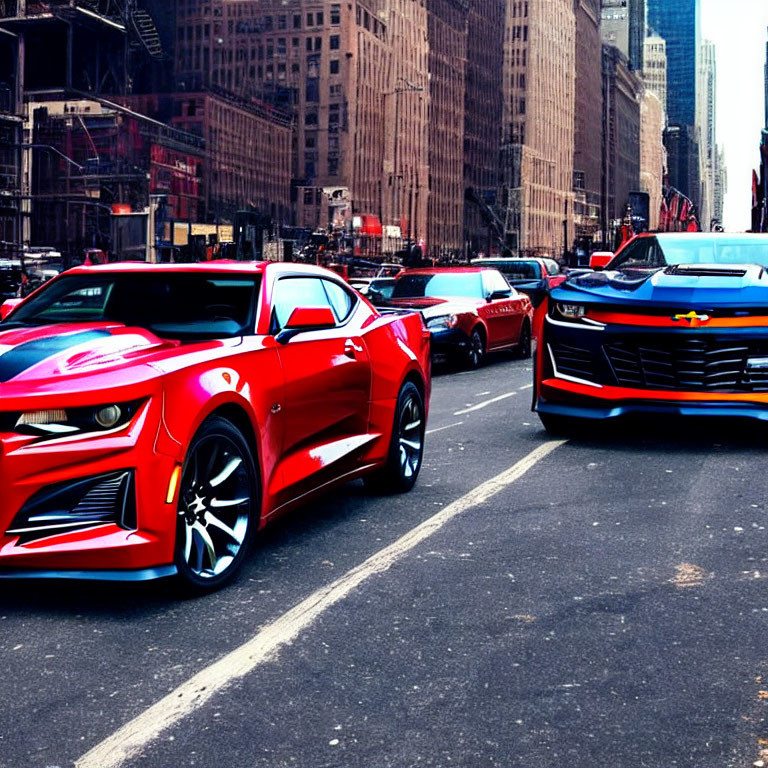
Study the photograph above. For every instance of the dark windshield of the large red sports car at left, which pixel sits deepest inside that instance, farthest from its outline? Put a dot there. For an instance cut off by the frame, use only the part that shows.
(171, 304)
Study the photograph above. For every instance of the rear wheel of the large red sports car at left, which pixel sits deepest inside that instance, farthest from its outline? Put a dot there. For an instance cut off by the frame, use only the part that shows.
(406, 446)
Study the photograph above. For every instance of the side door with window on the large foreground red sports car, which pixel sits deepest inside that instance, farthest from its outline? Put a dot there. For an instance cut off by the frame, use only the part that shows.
(327, 385)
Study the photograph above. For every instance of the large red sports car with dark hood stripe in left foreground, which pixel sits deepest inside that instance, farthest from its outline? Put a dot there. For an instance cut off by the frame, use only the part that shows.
(153, 418)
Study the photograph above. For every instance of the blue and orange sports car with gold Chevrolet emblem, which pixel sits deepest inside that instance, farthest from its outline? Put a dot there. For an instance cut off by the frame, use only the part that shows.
(674, 324)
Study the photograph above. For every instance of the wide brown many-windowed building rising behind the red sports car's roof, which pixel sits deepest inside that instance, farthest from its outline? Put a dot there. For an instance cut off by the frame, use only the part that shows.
(354, 76)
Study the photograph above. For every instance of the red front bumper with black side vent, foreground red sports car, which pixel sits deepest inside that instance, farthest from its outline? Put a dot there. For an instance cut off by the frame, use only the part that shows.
(111, 486)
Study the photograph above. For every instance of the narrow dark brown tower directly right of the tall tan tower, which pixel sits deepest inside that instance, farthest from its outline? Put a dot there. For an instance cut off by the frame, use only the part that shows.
(587, 143)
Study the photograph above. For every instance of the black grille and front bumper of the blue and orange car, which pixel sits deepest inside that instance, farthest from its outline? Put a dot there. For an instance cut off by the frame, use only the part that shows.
(614, 371)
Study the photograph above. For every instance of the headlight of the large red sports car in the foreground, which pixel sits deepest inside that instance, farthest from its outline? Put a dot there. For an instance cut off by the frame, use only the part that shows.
(61, 421)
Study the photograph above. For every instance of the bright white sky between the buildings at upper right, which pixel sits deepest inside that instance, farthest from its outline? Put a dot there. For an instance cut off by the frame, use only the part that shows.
(738, 28)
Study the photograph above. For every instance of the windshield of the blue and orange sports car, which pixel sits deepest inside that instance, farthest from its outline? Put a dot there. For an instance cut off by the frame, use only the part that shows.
(656, 252)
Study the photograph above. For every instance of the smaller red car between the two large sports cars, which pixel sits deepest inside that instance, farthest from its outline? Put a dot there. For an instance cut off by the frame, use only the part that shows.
(469, 311)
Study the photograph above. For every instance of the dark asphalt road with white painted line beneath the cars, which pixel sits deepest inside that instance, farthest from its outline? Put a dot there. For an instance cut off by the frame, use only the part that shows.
(602, 604)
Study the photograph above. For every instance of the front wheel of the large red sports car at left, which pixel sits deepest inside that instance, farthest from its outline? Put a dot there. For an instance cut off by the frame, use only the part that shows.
(218, 508)
